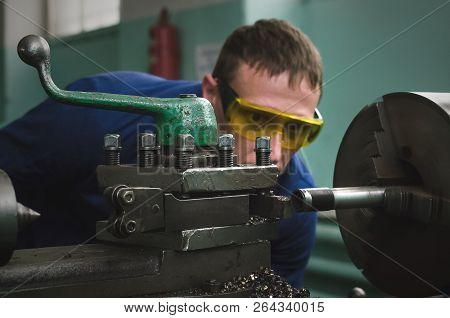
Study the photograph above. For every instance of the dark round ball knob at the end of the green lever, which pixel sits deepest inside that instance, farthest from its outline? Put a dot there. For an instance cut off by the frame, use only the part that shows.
(34, 50)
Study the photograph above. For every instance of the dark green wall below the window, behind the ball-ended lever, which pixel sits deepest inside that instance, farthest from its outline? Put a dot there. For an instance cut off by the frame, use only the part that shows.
(95, 52)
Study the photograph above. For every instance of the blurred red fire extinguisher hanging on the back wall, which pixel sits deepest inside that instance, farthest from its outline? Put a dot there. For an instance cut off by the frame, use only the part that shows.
(163, 51)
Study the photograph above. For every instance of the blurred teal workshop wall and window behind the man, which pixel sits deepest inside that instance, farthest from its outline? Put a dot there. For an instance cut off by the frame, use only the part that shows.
(369, 48)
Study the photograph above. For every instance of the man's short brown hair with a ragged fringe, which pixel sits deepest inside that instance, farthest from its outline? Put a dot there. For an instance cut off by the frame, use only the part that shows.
(273, 46)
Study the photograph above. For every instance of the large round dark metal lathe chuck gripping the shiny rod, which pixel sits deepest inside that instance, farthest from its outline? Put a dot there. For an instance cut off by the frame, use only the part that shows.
(399, 141)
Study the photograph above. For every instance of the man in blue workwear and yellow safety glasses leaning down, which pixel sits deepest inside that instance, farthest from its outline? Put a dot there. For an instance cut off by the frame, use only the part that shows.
(51, 152)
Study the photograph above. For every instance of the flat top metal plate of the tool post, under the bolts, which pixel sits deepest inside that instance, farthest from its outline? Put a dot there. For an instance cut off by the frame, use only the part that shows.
(196, 180)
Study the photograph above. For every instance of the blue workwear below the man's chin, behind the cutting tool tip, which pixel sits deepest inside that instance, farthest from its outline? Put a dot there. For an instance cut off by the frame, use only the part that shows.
(296, 237)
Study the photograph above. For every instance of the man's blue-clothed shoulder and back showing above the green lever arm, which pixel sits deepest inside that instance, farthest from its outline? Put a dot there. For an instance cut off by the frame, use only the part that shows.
(135, 83)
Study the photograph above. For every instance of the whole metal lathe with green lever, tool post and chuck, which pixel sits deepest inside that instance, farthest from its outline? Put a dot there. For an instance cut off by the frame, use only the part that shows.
(187, 218)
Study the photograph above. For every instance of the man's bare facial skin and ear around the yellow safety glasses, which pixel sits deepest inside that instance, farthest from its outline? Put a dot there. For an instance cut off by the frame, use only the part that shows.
(260, 88)
